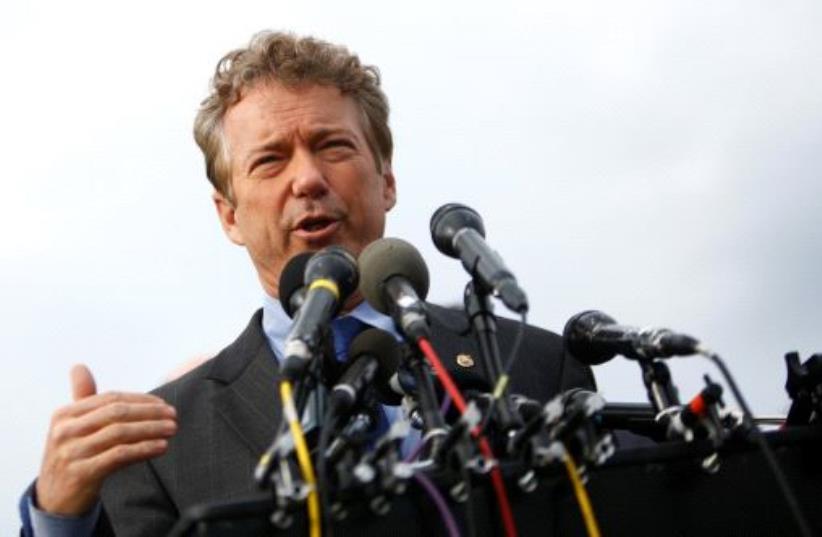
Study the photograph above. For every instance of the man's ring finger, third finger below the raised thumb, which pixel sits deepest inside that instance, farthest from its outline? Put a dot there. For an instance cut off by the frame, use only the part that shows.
(119, 434)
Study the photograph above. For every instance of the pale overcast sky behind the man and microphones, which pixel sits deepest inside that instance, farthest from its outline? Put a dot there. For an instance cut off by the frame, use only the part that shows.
(656, 160)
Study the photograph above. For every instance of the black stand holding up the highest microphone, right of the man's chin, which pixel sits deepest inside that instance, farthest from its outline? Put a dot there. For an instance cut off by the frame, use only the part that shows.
(480, 310)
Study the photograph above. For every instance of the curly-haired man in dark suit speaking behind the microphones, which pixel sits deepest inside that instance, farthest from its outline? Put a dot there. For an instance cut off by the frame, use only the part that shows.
(298, 149)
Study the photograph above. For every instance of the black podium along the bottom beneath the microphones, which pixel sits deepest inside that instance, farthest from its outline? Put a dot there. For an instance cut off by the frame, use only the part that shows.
(653, 491)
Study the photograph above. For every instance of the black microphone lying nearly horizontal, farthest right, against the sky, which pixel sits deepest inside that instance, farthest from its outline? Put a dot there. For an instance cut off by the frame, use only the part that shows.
(594, 338)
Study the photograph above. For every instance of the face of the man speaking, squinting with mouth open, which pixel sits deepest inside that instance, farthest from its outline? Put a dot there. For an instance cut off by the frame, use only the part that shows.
(303, 176)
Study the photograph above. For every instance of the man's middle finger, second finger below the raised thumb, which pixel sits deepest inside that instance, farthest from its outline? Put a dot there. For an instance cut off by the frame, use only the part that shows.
(112, 413)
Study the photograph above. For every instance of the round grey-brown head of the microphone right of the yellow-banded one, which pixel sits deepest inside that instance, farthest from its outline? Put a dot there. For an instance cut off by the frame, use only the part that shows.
(385, 258)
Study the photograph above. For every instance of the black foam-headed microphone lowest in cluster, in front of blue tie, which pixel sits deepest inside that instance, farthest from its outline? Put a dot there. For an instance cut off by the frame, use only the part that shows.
(373, 359)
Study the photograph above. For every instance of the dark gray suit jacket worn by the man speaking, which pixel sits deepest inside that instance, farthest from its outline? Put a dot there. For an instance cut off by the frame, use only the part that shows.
(228, 412)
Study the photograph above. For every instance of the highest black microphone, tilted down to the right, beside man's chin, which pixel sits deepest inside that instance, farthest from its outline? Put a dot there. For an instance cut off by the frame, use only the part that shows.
(458, 232)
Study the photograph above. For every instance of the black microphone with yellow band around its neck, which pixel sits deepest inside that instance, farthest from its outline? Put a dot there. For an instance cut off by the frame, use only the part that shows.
(331, 276)
